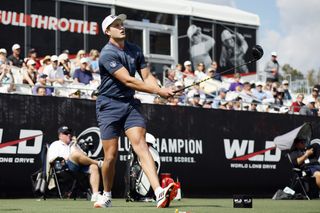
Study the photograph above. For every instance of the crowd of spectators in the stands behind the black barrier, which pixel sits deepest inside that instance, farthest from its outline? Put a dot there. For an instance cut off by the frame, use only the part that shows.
(59, 75)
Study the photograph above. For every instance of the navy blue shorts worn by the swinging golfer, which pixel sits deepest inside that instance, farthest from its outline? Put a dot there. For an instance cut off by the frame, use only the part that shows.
(117, 115)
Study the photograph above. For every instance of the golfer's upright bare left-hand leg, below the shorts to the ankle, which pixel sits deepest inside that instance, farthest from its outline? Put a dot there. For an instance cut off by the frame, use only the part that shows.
(110, 148)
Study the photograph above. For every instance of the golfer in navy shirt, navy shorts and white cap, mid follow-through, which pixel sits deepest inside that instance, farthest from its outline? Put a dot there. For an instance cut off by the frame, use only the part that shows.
(118, 111)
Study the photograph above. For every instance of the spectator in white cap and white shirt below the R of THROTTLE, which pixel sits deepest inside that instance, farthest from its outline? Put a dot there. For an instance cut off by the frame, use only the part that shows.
(54, 72)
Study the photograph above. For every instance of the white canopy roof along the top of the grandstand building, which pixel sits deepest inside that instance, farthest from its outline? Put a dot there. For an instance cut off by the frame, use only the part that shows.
(188, 7)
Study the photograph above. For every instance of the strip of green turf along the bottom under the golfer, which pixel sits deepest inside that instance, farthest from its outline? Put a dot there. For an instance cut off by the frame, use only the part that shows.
(185, 205)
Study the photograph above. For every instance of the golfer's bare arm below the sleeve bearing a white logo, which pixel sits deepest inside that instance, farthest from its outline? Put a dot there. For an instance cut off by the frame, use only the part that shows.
(123, 76)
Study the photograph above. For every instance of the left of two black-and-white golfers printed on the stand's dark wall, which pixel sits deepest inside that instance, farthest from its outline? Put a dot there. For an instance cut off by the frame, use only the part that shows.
(201, 44)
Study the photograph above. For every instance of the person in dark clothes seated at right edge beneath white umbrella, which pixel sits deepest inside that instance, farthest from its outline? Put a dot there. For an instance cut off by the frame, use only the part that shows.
(306, 158)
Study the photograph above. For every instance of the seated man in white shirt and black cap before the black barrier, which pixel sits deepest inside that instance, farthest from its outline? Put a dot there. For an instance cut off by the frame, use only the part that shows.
(75, 159)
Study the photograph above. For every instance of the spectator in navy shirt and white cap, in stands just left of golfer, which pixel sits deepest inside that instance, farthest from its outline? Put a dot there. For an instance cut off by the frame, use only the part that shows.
(83, 74)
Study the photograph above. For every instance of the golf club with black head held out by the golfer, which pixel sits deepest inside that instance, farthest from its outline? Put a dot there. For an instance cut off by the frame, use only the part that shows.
(257, 53)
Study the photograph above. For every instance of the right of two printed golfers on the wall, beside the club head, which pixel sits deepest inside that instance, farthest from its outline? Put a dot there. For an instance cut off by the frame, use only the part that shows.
(234, 47)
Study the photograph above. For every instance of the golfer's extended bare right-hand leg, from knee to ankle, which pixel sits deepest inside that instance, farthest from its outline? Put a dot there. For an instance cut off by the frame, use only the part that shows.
(136, 136)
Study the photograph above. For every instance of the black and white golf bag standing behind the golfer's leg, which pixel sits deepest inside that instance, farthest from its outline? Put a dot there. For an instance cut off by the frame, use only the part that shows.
(138, 187)
